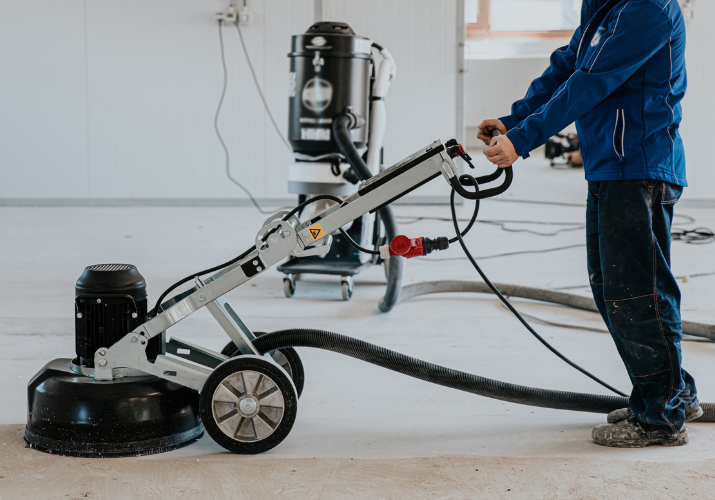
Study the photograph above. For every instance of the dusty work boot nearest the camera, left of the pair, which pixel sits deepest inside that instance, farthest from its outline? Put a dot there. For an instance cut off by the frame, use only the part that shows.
(632, 433)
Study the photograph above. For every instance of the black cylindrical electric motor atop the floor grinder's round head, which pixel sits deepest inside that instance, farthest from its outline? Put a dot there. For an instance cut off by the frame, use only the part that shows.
(110, 301)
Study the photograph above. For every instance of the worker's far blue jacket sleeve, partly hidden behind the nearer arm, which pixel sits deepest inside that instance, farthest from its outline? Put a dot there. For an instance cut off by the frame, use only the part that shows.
(563, 61)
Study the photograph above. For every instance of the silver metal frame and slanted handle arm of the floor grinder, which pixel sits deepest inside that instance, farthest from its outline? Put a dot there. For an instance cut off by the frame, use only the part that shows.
(275, 241)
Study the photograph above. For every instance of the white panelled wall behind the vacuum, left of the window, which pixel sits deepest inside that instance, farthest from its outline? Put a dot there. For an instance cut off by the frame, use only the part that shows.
(114, 99)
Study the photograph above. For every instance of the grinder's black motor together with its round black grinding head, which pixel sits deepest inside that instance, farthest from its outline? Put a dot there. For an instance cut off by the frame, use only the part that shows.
(69, 413)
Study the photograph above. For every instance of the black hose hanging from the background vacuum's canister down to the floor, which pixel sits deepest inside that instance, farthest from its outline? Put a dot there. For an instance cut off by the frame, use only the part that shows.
(341, 133)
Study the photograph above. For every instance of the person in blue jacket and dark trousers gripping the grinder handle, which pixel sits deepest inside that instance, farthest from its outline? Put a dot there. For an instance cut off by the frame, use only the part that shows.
(621, 79)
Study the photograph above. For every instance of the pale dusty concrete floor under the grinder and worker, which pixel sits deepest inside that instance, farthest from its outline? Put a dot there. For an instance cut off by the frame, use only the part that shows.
(361, 431)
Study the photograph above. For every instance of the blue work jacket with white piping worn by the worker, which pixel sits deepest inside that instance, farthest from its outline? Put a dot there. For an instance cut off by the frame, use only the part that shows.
(621, 79)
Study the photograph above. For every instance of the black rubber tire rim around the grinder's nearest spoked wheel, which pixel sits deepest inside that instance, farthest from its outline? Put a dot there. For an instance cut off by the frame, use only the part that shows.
(260, 365)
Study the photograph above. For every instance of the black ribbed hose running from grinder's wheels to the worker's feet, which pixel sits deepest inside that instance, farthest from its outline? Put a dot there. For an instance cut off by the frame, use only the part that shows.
(447, 377)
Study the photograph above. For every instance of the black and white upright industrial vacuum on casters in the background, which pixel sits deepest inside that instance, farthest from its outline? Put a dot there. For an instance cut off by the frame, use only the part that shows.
(333, 70)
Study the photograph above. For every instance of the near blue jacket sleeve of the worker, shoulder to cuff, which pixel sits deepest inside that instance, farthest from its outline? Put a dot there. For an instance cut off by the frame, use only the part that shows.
(641, 30)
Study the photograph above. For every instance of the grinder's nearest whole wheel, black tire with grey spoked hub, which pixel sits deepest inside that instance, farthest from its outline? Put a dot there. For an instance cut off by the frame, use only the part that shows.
(248, 405)
